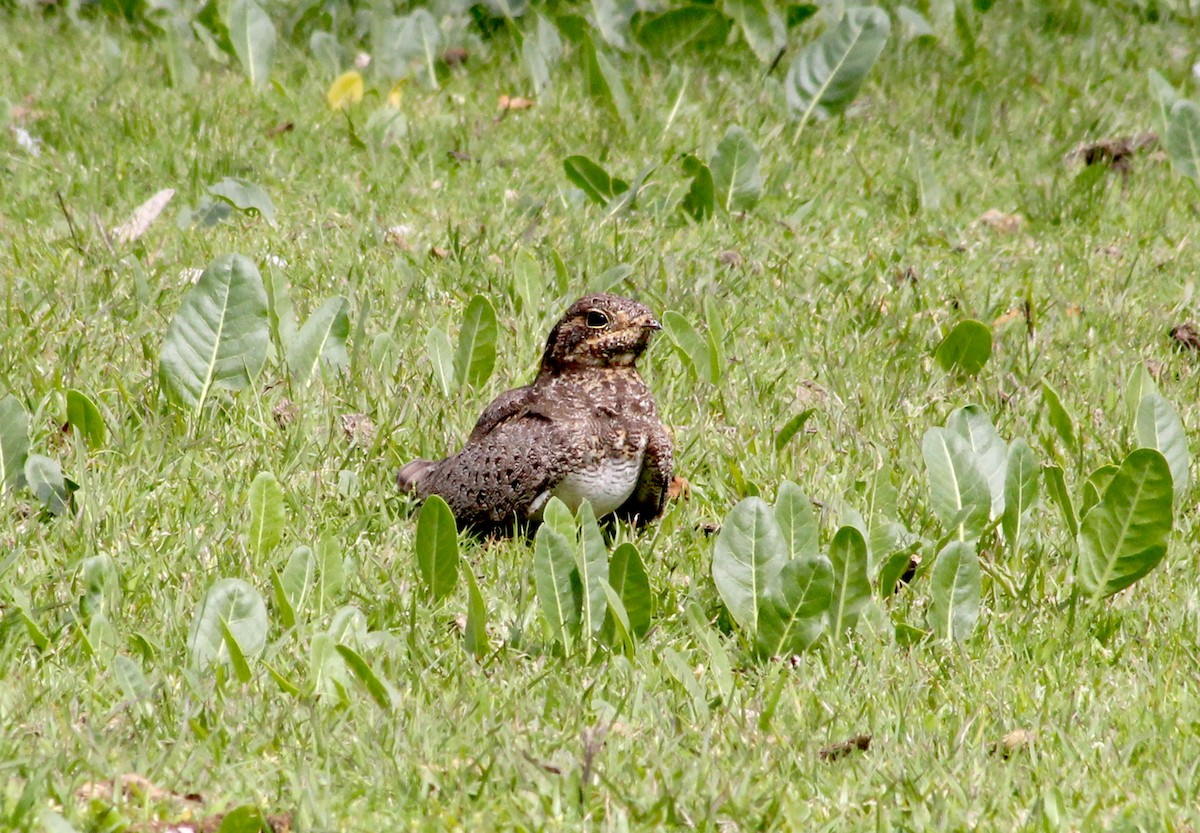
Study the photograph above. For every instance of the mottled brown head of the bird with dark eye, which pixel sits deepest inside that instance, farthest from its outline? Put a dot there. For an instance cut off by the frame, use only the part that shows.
(601, 331)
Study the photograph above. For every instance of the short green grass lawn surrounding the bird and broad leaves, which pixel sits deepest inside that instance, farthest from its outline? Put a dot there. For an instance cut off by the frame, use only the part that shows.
(691, 733)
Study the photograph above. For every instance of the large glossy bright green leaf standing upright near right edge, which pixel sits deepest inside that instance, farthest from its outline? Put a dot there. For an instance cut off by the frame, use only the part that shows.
(1125, 536)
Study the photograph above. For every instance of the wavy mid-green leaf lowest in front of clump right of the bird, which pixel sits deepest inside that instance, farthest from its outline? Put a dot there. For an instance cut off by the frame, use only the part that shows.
(793, 615)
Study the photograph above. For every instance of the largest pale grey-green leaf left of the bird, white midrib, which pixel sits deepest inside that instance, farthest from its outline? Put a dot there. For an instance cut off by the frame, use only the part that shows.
(219, 337)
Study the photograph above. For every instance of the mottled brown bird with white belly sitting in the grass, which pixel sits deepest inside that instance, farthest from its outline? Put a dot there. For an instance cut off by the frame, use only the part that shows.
(586, 429)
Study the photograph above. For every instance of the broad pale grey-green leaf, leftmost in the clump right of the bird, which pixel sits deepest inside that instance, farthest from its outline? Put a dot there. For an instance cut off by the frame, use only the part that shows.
(747, 559)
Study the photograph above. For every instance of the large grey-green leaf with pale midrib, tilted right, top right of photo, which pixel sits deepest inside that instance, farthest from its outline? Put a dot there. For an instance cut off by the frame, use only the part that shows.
(829, 74)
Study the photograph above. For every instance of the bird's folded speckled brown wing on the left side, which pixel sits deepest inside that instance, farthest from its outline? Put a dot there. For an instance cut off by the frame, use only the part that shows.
(499, 476)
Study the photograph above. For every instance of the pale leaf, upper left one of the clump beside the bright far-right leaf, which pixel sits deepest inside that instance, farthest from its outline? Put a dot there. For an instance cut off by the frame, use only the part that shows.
(956, 483)
